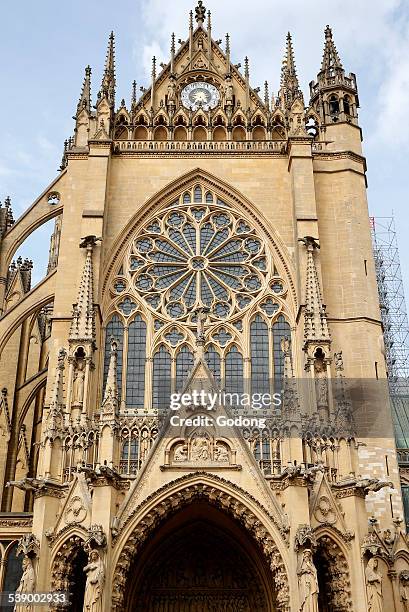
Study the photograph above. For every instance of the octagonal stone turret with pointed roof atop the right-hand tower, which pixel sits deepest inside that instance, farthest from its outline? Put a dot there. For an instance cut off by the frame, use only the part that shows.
(334, 96)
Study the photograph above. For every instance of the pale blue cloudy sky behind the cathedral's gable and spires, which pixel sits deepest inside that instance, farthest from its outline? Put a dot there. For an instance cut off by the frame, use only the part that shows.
(45, 46)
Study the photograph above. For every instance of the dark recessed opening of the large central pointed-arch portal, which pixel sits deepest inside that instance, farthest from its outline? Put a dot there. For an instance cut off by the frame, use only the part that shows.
(200, 560)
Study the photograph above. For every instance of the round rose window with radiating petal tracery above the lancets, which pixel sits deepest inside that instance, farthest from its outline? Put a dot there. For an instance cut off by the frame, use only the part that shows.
(196, 254)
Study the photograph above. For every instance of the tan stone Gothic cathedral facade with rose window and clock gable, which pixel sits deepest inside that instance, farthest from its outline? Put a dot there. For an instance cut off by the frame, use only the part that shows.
(208, 236)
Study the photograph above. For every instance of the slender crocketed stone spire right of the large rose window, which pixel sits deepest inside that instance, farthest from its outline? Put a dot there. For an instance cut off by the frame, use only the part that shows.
(315, 317)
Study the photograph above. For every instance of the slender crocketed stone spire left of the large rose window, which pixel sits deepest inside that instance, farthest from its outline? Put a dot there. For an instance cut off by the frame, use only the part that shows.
(83, 318)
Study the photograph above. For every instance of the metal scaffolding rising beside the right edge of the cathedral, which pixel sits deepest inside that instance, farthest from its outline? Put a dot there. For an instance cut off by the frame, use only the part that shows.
(395, 325)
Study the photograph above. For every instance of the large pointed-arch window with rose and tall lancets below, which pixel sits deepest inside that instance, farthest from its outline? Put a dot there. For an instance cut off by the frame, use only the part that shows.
(197, 252)
